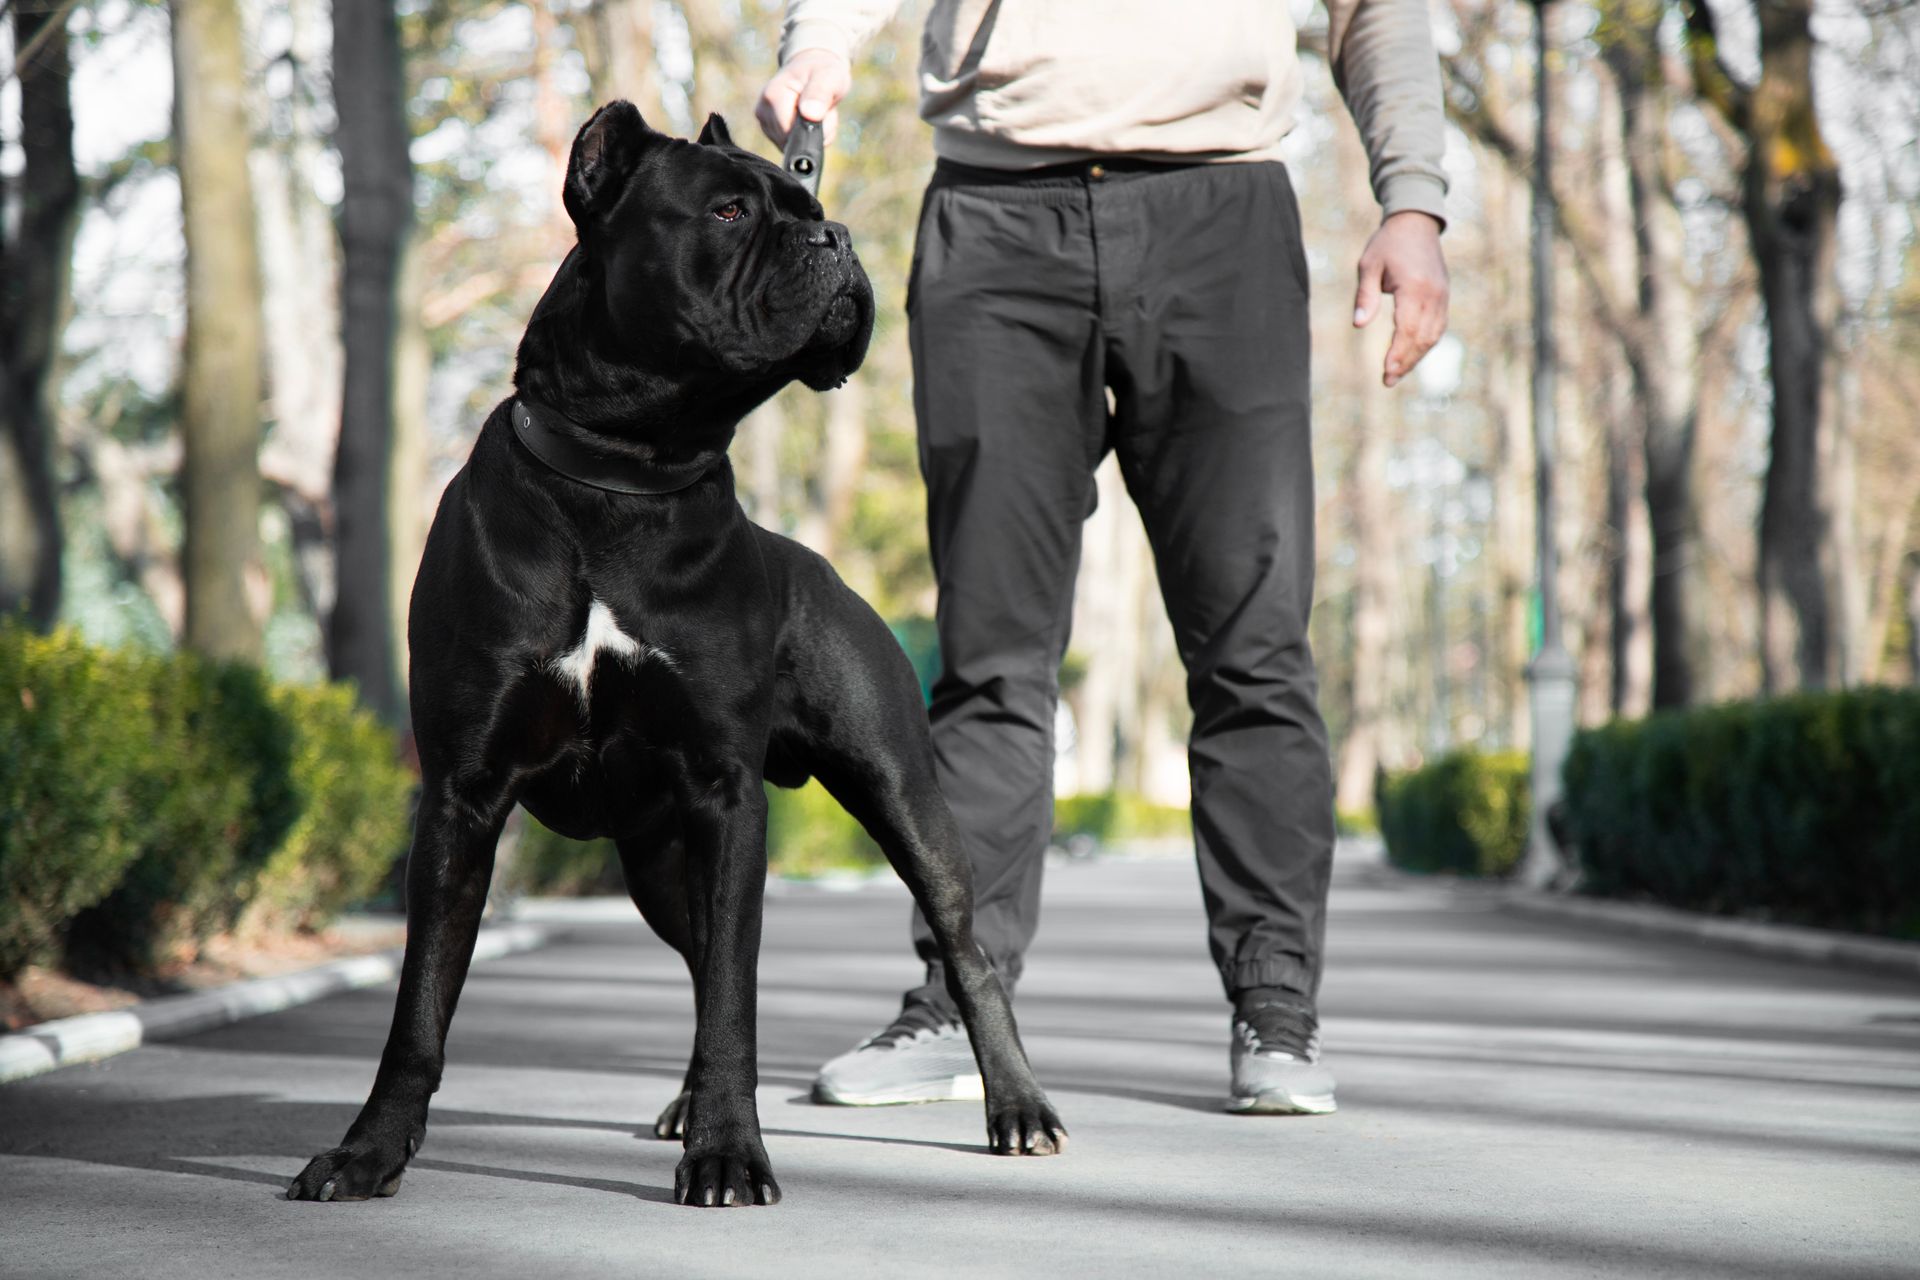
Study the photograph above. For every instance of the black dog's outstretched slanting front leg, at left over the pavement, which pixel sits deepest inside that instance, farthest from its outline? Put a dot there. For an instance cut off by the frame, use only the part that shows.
(448, 878)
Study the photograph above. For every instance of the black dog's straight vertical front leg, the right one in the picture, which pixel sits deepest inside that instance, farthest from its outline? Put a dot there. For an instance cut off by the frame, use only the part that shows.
(725, 824)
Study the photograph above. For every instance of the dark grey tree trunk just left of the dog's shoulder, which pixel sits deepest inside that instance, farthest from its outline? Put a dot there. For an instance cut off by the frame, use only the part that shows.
(375, 225)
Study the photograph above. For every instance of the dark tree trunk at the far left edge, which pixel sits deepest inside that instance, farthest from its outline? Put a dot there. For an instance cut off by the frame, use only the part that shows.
(36, 277)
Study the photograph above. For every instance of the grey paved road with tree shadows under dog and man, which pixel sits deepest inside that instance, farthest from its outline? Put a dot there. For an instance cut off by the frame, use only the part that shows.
(1520, 1099)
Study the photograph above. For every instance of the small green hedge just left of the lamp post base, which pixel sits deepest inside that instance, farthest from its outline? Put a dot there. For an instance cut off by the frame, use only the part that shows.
(1466, 813)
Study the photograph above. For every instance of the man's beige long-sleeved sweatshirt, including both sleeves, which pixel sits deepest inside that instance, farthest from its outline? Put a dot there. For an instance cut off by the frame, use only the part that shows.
(1024, 83)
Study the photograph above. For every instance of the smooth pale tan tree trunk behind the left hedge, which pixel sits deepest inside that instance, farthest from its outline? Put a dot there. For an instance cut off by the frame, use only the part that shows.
(222, 377)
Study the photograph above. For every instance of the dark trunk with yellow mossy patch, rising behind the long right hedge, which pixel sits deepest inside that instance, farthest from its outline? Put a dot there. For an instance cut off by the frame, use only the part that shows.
(1792, 208)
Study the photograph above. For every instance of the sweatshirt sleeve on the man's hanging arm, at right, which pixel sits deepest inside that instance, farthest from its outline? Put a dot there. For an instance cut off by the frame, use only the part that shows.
(1389, 74)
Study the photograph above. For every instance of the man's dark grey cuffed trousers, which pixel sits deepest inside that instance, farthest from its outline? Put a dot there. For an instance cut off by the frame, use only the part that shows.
(1184, 291)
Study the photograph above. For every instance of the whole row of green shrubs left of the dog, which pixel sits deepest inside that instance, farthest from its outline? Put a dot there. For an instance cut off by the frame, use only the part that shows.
(149, 801)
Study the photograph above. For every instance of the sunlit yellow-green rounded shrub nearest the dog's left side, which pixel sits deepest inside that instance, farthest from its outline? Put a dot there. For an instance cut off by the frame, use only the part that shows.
(352, 794)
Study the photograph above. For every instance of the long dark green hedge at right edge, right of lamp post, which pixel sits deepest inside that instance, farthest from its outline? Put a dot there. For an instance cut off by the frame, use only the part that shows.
(1802, 809)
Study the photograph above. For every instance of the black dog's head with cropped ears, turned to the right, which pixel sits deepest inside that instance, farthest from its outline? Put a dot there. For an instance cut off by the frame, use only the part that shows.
(709, 258)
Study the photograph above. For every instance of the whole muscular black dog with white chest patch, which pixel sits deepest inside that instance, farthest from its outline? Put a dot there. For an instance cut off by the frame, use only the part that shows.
(602, 636)
